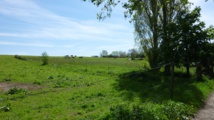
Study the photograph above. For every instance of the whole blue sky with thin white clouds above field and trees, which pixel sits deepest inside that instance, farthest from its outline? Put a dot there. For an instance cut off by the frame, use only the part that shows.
(68, 27)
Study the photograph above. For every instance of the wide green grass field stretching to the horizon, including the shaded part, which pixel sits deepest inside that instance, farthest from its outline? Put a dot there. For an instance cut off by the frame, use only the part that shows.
(94, 88)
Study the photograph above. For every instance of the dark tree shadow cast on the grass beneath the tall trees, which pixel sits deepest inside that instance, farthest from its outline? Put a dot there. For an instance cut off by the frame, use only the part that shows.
(153, 86)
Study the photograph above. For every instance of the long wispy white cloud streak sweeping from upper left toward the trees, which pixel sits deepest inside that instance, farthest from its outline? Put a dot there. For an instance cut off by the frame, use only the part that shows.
(50, 25)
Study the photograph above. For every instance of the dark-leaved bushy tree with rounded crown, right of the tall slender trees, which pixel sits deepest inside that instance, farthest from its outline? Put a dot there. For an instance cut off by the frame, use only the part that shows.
(190, 38)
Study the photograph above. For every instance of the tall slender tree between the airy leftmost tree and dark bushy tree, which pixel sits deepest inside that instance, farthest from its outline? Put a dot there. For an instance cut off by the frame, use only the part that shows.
(168, 13)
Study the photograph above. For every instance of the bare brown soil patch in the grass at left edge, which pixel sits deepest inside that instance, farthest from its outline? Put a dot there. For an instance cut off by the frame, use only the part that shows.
(5, 86)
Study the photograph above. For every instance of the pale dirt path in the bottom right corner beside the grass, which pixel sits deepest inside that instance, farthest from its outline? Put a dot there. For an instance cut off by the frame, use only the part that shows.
(207, 112)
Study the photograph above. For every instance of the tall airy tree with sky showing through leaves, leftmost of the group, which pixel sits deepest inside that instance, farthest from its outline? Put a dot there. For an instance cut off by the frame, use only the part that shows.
(146, 23)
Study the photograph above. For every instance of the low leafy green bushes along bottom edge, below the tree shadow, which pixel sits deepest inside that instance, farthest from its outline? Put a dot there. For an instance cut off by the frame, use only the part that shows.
(169, 110)
